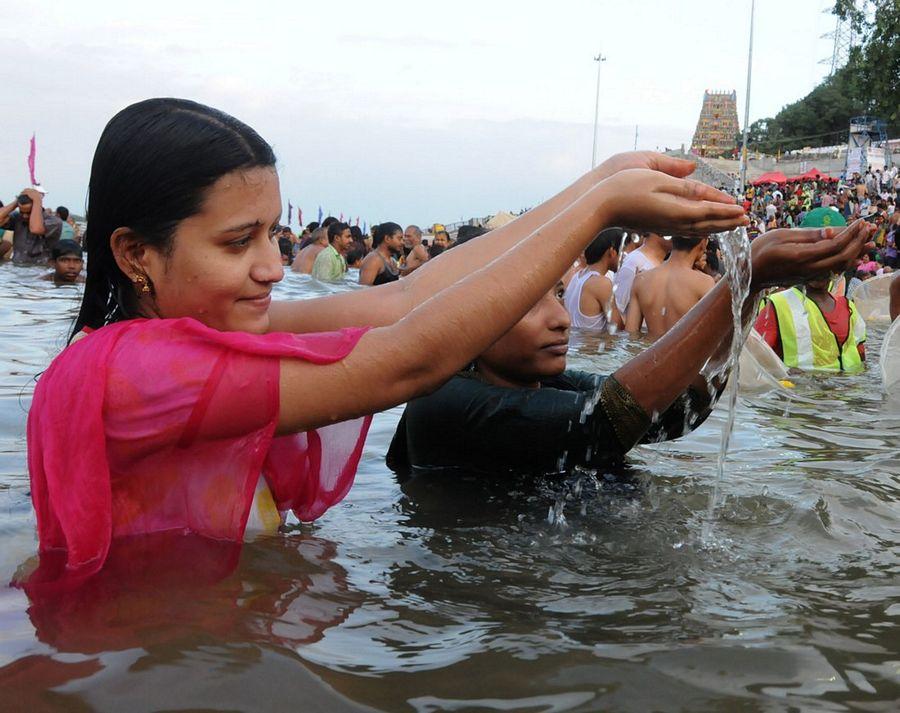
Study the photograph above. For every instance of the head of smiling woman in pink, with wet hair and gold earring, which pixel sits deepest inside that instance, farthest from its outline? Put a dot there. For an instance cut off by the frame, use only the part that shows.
(183, 205)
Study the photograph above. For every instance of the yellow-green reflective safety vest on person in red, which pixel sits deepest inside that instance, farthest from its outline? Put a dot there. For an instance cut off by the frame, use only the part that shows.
(806, 340)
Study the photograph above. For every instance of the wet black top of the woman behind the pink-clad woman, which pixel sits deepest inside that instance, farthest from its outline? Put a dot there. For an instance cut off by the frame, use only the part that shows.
(571, 420)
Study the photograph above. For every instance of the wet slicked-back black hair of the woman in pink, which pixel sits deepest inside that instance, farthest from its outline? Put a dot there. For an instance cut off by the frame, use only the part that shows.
(153, 165)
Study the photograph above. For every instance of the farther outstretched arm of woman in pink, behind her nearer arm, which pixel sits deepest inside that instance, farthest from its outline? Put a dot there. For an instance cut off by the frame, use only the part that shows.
(386, 304)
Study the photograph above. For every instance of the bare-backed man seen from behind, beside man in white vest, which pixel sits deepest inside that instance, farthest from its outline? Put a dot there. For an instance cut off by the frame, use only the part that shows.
(663, 295)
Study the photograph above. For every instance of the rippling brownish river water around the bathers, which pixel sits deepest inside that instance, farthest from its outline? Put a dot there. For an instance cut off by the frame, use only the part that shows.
(461, 595)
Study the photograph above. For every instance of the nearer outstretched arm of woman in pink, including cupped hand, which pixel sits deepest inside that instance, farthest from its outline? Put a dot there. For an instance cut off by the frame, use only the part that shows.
(392, 364)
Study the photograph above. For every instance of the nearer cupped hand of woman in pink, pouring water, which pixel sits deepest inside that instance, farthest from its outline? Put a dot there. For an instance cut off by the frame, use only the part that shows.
(652, 200)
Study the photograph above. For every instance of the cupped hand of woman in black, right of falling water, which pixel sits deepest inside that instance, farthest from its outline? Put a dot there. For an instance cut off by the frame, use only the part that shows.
(786, 256)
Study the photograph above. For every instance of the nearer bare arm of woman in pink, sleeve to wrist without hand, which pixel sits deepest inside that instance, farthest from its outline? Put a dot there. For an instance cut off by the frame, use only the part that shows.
(392, 364)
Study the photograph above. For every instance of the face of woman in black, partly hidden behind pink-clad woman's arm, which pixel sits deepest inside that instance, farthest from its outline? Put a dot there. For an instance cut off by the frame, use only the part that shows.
(534, 349)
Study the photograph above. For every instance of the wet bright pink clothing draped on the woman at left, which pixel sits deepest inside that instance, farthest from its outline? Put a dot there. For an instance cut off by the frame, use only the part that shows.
(157, 425)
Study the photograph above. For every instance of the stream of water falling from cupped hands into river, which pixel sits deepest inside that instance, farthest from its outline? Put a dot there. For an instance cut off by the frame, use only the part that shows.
(735, 247)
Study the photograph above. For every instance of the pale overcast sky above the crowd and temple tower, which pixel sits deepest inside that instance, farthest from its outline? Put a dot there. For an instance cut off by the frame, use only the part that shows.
(405, 111)
